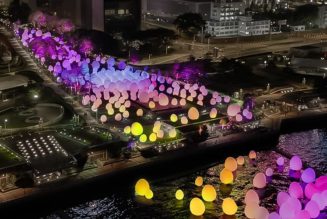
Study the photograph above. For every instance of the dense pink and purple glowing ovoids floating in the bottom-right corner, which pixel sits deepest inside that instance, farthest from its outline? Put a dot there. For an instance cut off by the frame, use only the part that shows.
(306, 196)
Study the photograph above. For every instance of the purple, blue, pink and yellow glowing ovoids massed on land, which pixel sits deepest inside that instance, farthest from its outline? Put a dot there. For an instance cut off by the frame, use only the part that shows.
(117, 86)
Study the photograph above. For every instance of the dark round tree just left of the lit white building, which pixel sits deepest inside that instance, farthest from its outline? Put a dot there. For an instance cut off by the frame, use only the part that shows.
(189, 23)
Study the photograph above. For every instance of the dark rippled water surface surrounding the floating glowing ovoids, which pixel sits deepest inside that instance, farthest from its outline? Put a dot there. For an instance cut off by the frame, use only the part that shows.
(311, 146)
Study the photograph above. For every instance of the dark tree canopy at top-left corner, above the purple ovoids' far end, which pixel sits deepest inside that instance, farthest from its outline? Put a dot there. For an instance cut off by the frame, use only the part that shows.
(19, 11)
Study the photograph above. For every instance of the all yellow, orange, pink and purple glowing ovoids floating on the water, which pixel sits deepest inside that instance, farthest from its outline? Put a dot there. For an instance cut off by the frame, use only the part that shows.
(305, 198)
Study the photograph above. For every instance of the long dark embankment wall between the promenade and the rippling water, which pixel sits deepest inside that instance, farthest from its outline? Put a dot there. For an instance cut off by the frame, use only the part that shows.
(102, 181)
